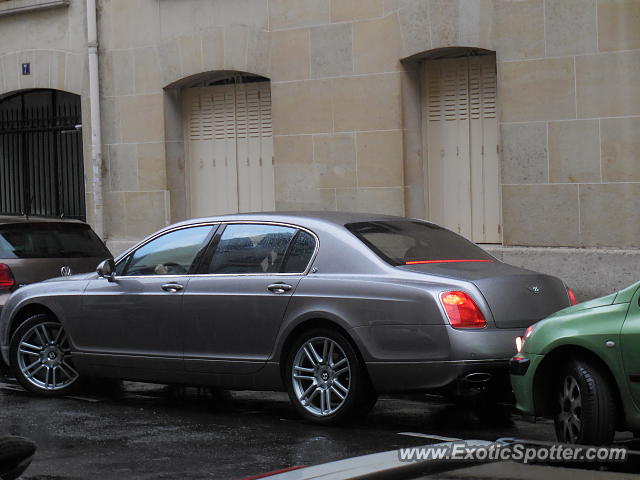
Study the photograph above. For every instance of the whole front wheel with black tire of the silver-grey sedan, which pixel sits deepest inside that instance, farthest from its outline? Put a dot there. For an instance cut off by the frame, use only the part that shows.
(53, 358)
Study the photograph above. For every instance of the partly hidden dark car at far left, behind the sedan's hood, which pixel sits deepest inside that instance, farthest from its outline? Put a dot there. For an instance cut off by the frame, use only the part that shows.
(35, 249)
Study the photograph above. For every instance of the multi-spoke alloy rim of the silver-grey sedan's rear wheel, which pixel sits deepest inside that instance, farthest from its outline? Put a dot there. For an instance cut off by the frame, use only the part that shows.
(321, 376)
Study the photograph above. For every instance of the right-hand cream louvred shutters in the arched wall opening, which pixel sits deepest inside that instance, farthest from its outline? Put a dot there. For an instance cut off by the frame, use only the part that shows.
(461, 134)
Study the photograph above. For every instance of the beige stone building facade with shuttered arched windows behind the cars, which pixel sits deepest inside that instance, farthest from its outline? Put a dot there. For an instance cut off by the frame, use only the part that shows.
(346, 115)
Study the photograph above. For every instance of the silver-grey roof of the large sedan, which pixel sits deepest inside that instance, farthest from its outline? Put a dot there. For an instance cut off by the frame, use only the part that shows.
(333, 218)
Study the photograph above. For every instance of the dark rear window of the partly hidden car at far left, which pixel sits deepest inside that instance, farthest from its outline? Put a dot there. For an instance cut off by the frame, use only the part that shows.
(50, 240)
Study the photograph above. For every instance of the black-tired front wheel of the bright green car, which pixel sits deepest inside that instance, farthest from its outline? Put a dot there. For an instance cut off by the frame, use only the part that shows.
(585, 407)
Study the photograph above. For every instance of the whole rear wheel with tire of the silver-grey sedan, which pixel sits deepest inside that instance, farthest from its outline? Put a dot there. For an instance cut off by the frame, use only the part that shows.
(327, 382)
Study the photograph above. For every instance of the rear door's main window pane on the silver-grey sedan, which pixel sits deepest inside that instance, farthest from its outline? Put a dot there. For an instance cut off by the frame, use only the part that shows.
(250, 248)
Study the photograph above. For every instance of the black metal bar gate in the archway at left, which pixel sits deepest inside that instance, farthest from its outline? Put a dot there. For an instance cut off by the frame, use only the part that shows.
(41, 164)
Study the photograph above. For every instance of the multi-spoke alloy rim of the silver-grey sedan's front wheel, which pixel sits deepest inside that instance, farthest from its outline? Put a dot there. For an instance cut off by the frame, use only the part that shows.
(44, 357)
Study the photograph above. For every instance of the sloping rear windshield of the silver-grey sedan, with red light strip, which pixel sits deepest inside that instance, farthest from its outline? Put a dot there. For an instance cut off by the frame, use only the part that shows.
(405, 242)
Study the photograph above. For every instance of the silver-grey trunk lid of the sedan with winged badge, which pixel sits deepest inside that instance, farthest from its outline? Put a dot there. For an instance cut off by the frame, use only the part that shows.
(517, 297)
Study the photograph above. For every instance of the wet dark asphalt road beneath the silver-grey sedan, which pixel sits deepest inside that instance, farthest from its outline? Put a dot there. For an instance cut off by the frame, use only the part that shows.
(142, 431)
